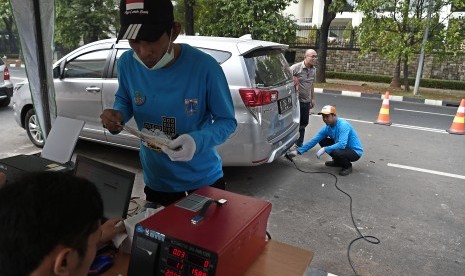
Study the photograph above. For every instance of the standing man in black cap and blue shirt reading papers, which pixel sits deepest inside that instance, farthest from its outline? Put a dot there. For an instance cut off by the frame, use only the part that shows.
(174, 88)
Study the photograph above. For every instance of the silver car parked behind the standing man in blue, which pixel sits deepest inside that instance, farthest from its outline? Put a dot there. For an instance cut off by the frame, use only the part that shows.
(261, 85)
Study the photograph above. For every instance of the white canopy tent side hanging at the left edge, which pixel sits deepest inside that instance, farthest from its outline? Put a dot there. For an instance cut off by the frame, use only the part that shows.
(35, 23)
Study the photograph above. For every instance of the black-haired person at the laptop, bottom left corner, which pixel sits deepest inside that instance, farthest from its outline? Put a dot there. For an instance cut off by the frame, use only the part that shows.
(50, 225)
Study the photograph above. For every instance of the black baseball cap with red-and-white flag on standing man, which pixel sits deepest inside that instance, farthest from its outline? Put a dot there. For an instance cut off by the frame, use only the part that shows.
(145, 19)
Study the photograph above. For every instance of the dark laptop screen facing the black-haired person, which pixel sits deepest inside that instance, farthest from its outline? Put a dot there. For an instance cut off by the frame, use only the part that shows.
(114, 184)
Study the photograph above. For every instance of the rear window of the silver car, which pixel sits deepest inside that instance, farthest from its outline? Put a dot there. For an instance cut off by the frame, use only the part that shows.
(267, 67)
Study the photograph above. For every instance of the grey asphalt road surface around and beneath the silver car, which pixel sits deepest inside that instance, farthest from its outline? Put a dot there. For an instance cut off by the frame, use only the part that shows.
(416, 211)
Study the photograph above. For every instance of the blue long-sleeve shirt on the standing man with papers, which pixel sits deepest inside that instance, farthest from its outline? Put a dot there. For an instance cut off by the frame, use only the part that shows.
(190, 96)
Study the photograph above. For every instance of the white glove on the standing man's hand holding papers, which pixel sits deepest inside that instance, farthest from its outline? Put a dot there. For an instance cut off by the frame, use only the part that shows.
(181, 148)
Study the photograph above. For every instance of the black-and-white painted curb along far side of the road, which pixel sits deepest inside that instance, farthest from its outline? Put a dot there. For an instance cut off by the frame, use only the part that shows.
(392, 98)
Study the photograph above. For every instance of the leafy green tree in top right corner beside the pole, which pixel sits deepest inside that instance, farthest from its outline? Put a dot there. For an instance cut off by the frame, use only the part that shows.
(395, 29)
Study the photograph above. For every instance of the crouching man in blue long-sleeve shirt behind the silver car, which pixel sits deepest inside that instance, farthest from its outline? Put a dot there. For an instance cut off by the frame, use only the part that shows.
(338, 138)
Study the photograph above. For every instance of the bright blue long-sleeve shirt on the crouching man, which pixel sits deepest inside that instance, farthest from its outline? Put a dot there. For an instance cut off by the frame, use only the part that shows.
(343, 134)
